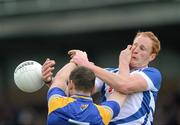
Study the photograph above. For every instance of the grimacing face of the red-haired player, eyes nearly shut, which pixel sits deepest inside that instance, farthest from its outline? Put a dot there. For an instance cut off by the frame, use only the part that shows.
(141, 52)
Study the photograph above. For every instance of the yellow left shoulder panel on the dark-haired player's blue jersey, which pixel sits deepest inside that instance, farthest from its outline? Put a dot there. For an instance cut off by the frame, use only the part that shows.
(56, 102)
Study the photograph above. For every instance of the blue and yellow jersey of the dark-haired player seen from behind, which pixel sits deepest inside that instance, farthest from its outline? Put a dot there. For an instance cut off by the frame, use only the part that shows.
(64, 110)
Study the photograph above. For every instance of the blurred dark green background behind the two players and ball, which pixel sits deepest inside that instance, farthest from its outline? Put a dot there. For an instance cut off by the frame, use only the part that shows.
(37, 29)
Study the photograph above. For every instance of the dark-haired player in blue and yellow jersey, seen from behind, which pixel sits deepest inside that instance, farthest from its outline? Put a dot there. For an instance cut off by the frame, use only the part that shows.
(78, 108)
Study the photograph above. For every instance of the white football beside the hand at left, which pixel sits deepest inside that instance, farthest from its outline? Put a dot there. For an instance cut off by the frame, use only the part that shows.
(28, 76)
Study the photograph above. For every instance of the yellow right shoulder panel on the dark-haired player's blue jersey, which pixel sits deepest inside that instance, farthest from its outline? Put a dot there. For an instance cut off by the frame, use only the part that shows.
(106, 114)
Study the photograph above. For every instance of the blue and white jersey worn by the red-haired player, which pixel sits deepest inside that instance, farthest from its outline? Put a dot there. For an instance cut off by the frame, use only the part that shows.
(139, 107)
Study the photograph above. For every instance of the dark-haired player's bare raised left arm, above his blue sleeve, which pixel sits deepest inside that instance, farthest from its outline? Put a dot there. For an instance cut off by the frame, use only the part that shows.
(62, 76)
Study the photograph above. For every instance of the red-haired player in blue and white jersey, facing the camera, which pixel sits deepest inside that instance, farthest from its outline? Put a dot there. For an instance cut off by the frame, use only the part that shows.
(135, 78)
